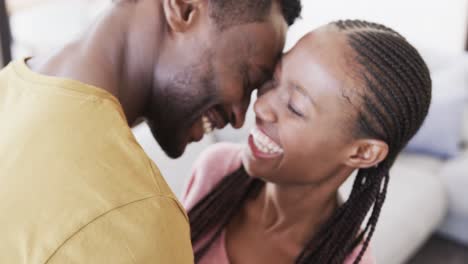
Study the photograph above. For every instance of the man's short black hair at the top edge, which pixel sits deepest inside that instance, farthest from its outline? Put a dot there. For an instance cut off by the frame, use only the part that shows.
(231, 12)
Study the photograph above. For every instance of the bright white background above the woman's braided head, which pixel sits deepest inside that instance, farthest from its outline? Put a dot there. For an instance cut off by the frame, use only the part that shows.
(430, 24)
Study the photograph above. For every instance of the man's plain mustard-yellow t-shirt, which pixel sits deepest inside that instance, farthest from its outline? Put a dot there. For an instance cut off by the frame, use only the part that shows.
(75, 186)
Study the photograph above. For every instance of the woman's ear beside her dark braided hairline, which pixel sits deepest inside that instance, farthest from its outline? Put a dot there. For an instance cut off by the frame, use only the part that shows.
(367, 153)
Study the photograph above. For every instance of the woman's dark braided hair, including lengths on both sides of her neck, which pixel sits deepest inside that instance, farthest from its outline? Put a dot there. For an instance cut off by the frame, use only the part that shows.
(394, 105)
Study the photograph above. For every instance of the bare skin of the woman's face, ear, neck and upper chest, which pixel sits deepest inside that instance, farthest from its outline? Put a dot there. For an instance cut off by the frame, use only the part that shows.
(309, 109)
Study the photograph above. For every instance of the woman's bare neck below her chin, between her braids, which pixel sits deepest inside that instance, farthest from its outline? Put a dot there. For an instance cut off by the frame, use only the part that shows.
(295, 212)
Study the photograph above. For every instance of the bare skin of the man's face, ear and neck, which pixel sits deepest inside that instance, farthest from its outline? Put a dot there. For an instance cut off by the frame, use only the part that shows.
(166, 61)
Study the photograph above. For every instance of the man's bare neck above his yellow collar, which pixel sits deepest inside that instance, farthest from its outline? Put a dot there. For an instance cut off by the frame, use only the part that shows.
(111, 56)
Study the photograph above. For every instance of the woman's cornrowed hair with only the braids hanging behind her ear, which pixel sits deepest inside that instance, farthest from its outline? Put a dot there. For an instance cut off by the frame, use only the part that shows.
(394, 106)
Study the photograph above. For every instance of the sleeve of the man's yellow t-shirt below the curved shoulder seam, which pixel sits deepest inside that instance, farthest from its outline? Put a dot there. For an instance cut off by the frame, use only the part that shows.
(152, 230)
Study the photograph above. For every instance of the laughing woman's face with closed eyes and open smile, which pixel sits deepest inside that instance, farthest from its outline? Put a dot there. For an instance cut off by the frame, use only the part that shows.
(304, 116)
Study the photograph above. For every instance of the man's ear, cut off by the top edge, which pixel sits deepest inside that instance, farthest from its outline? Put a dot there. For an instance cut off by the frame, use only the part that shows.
(181, 14)
